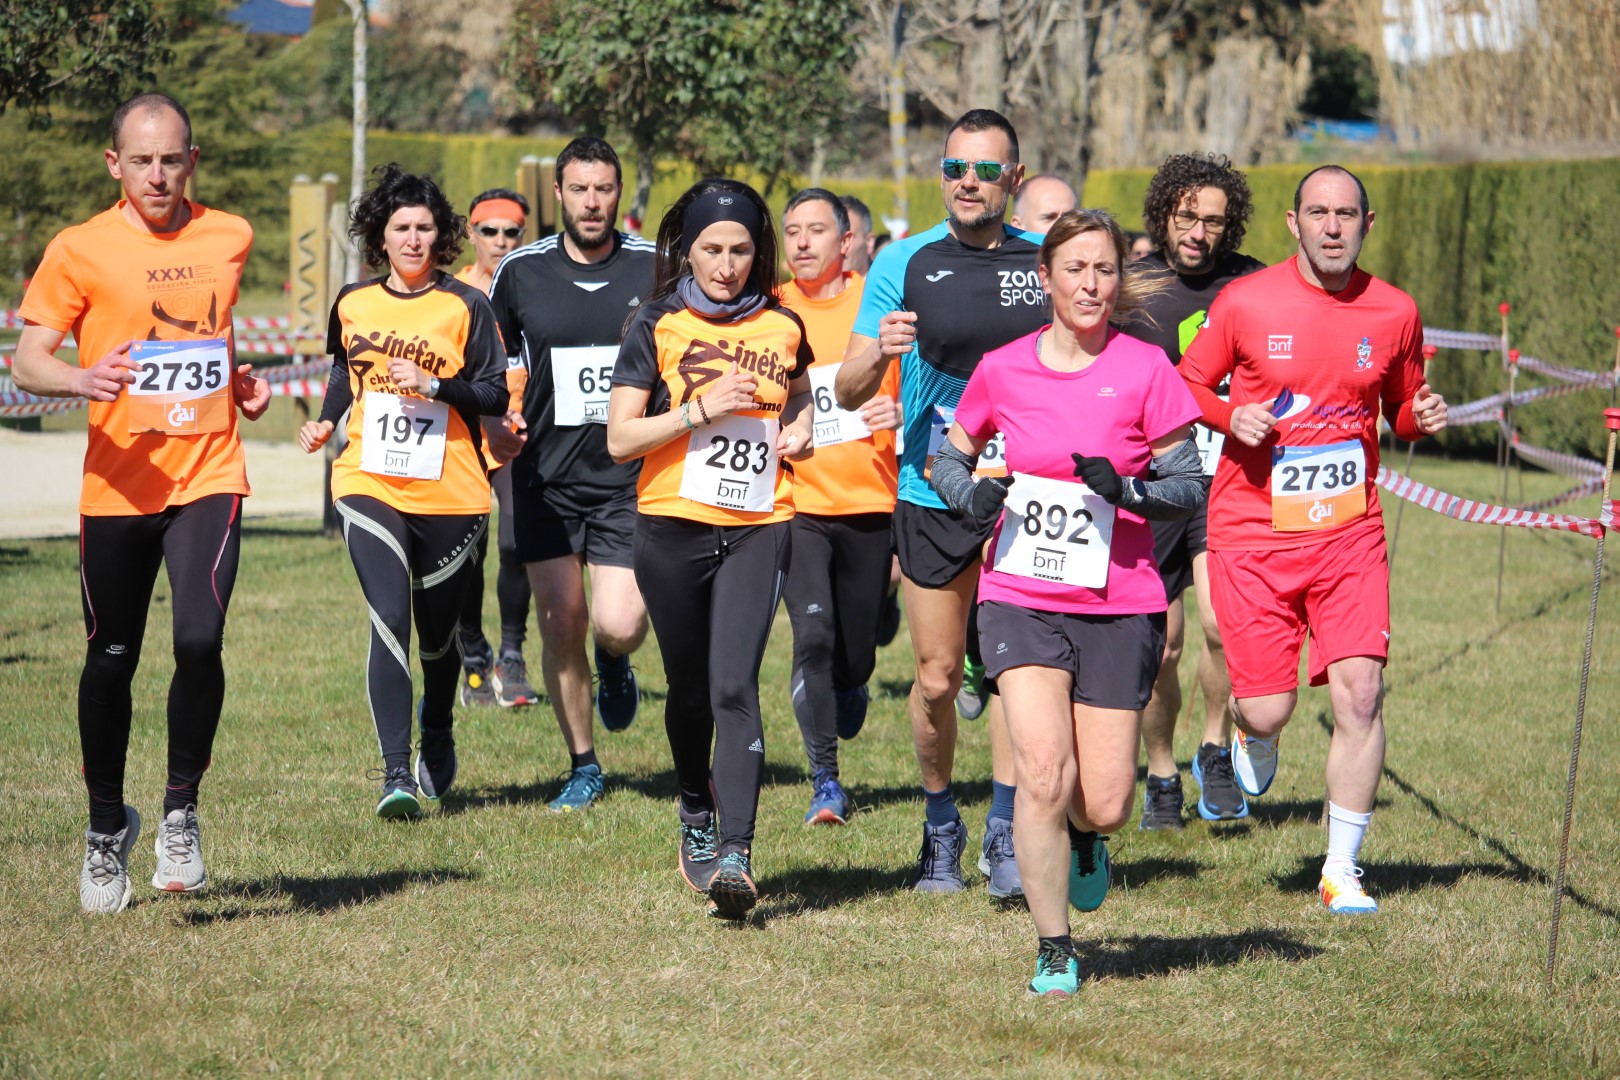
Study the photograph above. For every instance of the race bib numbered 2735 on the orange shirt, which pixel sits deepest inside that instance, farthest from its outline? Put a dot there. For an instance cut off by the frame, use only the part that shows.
(181, 388)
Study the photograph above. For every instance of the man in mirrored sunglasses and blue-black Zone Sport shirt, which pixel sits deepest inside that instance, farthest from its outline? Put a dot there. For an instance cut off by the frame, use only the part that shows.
(939, 302)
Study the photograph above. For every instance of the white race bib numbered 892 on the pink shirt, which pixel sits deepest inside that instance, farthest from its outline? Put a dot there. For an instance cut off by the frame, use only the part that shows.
(1055, 530)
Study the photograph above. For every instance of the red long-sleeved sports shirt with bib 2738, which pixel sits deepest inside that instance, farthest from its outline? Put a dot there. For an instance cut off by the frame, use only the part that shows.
(1329, 360)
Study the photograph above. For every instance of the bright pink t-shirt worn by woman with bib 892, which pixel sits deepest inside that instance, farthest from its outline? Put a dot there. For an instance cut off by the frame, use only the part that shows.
(1117, 407)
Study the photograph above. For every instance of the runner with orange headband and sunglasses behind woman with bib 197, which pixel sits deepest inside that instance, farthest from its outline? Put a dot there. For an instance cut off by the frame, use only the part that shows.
(495, 224)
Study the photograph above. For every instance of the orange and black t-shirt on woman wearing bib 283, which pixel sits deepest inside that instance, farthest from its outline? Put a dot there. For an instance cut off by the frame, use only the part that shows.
(678, 354)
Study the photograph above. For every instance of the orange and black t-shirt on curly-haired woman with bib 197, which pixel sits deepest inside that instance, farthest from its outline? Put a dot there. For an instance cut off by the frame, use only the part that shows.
(448, 331)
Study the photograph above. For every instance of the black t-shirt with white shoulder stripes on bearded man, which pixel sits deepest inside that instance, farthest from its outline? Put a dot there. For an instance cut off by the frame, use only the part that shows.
(563, 321)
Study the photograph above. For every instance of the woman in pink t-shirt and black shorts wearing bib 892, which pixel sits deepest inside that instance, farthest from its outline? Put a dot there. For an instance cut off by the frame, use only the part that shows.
(1073, 610)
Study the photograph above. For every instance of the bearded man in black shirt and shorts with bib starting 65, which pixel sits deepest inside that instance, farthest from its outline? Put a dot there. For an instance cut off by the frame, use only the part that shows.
(563, 304)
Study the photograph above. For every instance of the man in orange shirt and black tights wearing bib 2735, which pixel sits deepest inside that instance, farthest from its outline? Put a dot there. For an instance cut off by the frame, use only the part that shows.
(147, 291)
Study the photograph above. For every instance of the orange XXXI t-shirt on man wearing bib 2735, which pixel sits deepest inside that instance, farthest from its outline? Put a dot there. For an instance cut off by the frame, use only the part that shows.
(109, 283)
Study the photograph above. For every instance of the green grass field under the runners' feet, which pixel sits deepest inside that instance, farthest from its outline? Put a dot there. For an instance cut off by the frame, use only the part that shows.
(493, 938)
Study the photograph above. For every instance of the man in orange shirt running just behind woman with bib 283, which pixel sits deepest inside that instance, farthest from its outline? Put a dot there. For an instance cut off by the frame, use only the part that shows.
(843, 501)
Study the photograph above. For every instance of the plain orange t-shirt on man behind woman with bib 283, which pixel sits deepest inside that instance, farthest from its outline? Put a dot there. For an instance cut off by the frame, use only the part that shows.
(858, 477)
